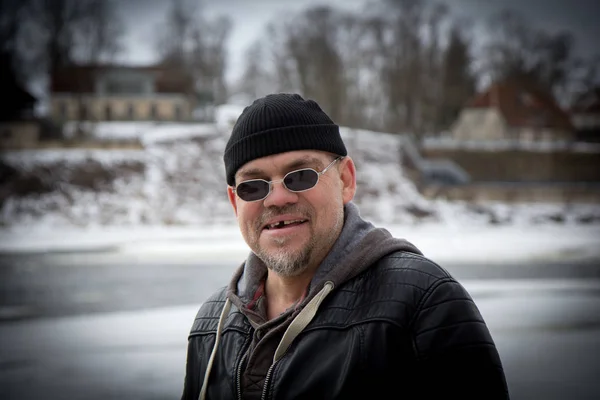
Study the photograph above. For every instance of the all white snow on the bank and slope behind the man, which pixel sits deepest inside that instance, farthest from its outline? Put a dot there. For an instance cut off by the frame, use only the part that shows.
(169, 199)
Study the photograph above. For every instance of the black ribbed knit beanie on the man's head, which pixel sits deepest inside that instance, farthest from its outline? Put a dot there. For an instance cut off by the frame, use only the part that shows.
(278, 123)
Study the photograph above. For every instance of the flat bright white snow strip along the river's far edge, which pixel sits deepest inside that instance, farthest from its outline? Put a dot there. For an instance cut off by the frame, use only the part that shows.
(440, 242)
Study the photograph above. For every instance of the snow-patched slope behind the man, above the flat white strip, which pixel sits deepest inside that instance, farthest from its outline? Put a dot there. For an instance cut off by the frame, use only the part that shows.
(179, 179)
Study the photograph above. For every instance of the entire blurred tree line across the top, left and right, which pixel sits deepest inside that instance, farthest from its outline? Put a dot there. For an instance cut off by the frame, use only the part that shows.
(395, 65)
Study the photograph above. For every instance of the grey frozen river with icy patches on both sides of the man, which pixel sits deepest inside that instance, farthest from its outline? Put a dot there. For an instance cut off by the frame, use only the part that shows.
(119, 332)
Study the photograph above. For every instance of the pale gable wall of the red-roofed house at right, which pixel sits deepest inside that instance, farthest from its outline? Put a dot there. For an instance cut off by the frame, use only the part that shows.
(479, 124)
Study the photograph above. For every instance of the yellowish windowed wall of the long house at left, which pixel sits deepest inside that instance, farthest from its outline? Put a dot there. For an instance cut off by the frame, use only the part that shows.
(106, 108)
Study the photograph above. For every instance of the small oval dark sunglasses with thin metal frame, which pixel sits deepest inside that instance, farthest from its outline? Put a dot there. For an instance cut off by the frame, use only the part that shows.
(294, 181)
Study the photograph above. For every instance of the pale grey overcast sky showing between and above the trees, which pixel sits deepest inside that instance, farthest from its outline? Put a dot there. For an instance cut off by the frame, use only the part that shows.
(142, 19)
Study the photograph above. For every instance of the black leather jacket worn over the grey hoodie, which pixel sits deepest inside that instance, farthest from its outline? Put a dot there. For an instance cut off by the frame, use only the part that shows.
(403, 328)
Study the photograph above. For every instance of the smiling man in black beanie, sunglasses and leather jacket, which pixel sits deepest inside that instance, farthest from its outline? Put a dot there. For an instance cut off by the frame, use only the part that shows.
(327, 306)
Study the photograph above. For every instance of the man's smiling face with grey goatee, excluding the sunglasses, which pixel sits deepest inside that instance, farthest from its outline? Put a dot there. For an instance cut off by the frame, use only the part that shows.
(314, 218)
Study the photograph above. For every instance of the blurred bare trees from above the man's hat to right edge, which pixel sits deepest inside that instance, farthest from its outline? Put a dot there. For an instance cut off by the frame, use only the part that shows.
(408, 65)
